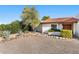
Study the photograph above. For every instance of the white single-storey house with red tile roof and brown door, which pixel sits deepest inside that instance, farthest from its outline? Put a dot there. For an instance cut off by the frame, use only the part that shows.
(68, 23)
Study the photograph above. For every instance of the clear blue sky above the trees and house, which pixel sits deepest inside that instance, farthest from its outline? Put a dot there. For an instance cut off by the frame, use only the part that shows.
(9, 13)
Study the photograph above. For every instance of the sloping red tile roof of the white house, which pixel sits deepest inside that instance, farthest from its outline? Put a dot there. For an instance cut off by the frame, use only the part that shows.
(60, 20)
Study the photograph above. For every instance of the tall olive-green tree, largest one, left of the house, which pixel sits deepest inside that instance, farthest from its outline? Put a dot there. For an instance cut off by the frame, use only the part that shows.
(30, 18)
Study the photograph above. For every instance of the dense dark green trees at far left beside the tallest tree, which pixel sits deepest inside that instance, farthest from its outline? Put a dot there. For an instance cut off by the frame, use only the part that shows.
(14, 27)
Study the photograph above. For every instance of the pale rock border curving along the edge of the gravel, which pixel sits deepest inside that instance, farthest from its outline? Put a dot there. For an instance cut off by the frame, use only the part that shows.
(15, 36)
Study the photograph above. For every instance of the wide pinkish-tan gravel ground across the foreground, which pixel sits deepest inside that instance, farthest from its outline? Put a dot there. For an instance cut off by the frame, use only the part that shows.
(39, 44)
